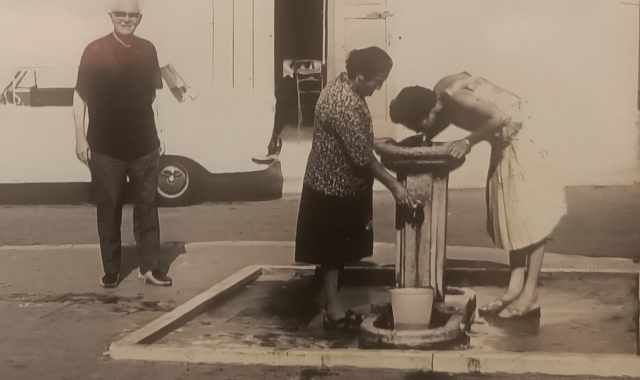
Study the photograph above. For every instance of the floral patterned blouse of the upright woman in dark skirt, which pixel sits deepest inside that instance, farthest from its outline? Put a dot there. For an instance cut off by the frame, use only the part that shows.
(342, 142)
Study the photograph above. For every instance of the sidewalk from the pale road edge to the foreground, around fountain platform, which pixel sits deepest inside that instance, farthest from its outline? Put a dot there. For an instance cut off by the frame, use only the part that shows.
(57, 322)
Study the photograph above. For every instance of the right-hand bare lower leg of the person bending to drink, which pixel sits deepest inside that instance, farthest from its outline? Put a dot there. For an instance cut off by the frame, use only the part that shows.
(528, 298)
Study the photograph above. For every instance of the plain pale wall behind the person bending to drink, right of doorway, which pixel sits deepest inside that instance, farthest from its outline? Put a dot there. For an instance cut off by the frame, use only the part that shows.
(575, 60)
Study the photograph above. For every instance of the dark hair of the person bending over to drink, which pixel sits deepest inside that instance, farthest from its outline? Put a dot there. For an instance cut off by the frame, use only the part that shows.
(412, 105)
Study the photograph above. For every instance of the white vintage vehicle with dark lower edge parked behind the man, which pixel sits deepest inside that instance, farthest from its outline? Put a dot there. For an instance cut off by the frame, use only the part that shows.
(209, 138)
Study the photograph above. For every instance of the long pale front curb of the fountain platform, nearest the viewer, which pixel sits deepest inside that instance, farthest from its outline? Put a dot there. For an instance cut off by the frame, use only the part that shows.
(555, 364)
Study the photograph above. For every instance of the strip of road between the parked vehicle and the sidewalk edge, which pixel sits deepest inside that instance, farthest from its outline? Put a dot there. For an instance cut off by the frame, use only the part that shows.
(602, 221)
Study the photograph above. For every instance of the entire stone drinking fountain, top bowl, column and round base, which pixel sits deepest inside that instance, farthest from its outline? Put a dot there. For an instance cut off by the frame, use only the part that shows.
(421, 246)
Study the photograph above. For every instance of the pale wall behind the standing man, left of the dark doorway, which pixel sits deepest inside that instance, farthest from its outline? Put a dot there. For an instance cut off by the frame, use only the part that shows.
(55, 32)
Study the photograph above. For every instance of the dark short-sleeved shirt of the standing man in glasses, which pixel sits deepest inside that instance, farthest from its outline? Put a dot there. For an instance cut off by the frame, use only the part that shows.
(119, 85)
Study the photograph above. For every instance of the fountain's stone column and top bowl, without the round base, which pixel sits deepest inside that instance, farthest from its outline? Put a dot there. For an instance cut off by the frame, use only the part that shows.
(421, 232)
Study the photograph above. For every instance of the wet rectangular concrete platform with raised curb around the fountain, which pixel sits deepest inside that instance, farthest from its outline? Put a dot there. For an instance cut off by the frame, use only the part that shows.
(264, 315)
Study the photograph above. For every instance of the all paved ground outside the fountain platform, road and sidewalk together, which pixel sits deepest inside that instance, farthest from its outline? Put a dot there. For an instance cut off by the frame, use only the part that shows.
(57, 323)
